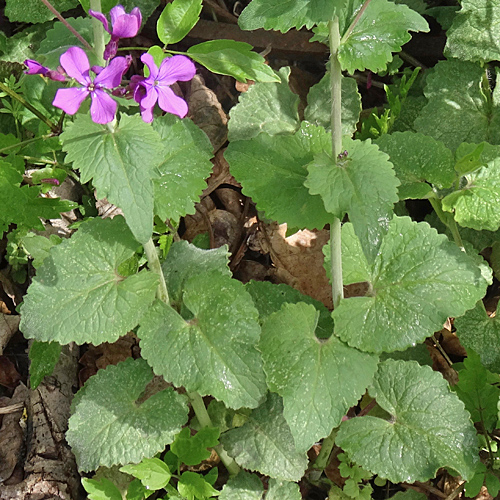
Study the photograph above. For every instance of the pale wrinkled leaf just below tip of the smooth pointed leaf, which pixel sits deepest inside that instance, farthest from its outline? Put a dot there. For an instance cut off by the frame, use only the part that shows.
(266, 107)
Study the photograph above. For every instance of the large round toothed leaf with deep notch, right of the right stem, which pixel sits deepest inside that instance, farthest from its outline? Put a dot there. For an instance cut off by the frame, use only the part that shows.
(415, 266)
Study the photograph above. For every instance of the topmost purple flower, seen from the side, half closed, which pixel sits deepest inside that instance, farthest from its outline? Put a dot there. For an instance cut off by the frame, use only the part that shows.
(124, 26)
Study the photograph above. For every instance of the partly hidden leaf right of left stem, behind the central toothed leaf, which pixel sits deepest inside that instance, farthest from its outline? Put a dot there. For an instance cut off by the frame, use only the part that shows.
(185, 261)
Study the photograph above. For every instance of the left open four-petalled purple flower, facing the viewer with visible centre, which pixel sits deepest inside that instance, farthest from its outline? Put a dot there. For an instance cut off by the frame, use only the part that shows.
(76, 64)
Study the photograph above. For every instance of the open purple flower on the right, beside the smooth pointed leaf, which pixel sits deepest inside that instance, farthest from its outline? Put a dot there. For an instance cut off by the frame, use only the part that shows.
(156, 87)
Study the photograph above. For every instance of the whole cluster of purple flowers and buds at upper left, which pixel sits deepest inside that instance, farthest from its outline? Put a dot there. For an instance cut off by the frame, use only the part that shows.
(146, 91)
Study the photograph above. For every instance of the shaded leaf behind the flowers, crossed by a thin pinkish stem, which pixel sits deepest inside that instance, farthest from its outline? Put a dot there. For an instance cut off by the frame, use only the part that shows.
(59, 40)
